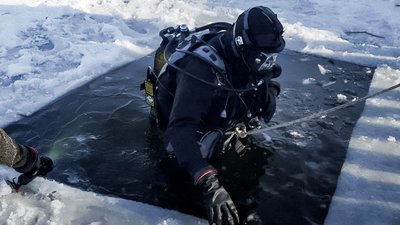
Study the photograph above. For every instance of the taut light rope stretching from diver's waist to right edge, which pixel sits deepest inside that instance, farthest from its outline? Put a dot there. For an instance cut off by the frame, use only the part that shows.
(319, 114)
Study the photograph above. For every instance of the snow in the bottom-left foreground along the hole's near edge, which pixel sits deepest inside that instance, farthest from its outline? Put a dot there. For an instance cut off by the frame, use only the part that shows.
(52, 203)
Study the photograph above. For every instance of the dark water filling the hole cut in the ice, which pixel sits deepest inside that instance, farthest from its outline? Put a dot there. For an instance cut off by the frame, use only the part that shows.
(102, 141)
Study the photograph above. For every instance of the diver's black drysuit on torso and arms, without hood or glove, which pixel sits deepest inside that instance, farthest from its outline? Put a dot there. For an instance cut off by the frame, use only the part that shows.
(187, 107)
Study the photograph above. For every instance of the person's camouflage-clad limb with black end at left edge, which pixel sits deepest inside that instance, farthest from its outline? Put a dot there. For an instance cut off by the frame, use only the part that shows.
(23, 159)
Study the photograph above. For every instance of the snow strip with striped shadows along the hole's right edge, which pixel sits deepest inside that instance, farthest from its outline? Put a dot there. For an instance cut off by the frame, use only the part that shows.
(370, 177)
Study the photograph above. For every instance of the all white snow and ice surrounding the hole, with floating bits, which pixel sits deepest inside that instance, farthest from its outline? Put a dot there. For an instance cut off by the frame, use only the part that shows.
(49, 47)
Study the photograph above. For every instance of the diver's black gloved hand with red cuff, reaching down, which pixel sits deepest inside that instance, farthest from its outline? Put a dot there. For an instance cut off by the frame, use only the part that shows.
(216, 200)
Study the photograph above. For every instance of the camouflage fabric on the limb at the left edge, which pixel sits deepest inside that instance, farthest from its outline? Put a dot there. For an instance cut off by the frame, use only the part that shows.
(10, 152)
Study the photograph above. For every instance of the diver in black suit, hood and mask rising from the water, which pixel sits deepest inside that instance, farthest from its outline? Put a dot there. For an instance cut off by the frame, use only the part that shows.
(214, 84)
